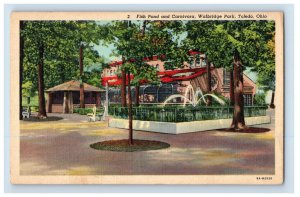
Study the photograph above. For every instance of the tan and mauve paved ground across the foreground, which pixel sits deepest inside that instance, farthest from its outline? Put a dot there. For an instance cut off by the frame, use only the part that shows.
(61, 147)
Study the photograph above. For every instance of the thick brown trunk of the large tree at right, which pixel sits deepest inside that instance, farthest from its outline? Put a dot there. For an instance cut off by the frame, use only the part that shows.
(238, 121)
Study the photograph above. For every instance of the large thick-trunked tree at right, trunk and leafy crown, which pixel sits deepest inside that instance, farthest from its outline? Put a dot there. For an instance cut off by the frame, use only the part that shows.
(238, 43)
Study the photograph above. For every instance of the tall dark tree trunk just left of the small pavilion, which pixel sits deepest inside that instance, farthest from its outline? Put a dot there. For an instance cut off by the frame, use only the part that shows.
(41, 87)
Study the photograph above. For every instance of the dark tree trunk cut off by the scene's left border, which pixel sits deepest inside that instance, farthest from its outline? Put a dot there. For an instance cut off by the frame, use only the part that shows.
(21, 67)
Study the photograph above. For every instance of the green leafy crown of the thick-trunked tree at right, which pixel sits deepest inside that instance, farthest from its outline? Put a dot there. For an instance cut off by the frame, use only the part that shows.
(219, 39)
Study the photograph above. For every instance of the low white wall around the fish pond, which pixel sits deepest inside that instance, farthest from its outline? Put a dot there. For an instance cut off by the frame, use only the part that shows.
(184, 127)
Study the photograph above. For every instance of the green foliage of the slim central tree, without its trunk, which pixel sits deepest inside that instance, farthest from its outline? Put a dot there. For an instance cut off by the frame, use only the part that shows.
(136, 40)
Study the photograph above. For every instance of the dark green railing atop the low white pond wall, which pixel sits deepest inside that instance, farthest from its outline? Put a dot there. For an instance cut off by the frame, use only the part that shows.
(181, 114)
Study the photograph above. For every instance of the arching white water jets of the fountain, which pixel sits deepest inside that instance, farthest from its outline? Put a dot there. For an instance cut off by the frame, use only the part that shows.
(196, 97)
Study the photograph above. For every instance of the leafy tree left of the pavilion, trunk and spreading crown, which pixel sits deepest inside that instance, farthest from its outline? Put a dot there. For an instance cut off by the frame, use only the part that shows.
(51, 49)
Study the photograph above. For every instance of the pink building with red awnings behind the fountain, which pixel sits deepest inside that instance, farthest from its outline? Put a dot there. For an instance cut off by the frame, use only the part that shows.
(176, 81)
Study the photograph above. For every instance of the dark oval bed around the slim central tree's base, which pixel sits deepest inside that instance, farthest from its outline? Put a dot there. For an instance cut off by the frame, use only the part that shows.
(124, 146)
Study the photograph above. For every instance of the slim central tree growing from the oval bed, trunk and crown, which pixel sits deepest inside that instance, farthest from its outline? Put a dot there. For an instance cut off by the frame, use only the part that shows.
(134, 43)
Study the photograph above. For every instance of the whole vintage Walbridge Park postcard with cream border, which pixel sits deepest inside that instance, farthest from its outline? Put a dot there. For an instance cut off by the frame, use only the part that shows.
(146, 98)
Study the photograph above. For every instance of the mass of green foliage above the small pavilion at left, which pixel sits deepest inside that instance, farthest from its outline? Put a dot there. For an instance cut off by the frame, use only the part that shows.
(61, 41)
